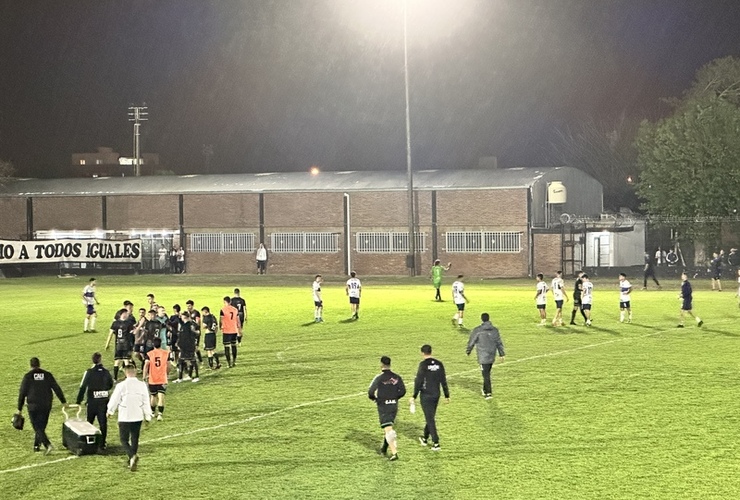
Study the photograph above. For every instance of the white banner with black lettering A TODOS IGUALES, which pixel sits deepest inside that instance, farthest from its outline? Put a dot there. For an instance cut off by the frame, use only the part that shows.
(49, 251)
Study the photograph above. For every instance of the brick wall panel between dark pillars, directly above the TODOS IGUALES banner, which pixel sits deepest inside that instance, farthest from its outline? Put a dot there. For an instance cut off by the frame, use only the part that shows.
(68, 213)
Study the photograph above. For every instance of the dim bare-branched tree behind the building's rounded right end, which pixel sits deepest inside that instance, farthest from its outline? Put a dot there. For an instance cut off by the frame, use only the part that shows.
(605, 151)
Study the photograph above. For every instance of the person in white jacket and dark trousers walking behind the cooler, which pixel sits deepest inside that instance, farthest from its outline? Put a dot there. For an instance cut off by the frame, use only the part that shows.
(131, 399)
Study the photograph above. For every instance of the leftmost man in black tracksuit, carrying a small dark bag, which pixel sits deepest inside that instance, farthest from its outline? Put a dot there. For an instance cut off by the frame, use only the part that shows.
(36, 391)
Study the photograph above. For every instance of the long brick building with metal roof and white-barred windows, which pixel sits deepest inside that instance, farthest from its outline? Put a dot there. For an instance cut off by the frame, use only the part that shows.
(489, 222)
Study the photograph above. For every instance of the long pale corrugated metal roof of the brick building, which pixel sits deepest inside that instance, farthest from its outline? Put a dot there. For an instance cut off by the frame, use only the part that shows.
(424, 180)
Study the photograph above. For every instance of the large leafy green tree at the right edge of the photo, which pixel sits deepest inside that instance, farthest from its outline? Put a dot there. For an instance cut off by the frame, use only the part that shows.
(690, 161)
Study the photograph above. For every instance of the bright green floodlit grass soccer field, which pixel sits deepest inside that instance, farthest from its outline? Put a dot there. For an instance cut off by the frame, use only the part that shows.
(641, 410)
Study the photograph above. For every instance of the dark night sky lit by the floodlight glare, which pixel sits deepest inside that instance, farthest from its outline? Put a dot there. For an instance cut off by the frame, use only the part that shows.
(285, 84)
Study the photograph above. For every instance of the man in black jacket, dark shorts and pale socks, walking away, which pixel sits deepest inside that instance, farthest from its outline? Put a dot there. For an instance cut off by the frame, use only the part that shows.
(386, 389)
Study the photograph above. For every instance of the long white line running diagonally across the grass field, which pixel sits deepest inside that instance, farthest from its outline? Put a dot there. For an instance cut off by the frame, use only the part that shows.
(336, 398)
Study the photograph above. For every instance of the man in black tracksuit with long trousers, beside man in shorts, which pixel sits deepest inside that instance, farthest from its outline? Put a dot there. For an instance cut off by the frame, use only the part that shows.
(429, 378)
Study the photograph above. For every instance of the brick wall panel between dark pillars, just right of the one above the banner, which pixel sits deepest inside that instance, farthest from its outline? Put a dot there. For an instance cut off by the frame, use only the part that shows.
(143, 212)
